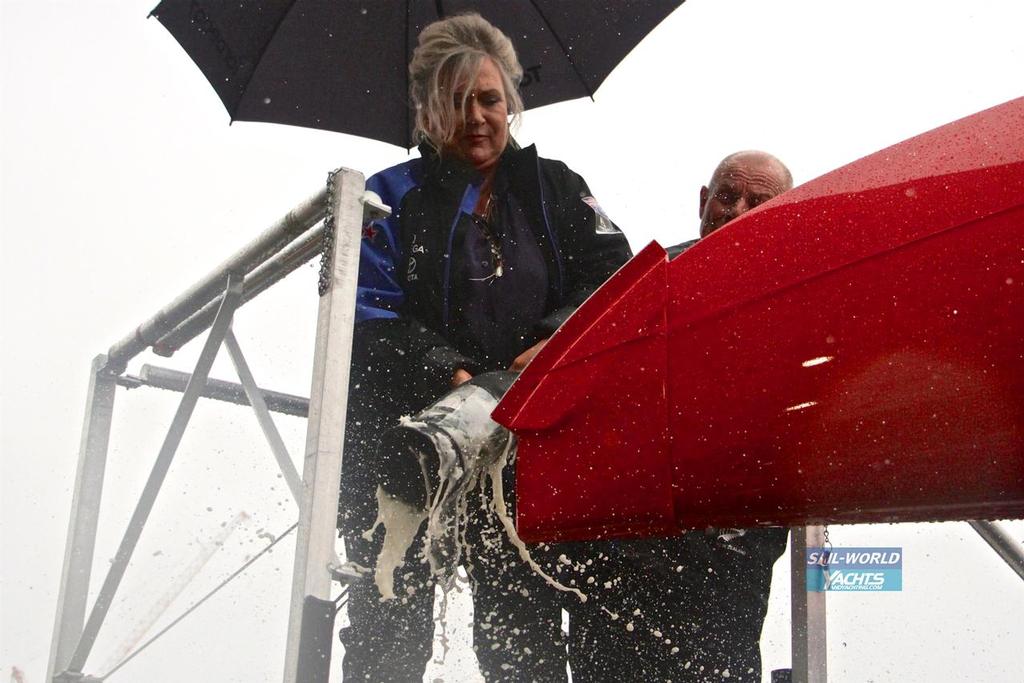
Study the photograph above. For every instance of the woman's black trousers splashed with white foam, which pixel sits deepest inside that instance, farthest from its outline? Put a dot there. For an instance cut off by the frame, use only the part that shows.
(517, 623)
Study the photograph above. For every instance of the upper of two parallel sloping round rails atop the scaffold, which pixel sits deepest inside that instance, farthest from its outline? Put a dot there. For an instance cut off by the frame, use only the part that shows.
(266, 246)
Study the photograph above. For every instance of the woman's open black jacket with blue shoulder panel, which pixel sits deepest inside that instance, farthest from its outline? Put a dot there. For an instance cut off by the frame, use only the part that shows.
(406, 346)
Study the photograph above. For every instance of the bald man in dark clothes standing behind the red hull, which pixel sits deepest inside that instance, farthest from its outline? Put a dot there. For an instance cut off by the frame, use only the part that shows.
(688, 609)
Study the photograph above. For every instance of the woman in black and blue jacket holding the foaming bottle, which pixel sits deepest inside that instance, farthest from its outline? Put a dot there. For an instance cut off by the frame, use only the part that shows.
(488, 250)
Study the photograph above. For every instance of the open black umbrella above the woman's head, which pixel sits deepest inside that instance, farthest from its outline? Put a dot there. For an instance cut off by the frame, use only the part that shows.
(342, 65)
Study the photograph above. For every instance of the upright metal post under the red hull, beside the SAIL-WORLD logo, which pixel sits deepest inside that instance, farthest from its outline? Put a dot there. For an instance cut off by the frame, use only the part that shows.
(809, 638)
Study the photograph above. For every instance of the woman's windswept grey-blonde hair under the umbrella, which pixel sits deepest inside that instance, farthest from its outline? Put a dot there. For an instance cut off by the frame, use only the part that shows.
(451, 52)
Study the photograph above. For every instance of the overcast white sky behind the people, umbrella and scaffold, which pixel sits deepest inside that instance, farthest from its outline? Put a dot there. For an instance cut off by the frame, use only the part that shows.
(122, 185)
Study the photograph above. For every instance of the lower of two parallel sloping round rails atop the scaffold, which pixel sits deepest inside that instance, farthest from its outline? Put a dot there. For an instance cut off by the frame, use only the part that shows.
(259, 281)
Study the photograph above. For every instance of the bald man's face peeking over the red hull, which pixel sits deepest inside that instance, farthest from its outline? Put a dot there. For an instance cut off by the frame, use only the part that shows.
(737, 188)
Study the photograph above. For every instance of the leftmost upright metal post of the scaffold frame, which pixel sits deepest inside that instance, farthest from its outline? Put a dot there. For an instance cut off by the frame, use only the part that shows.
(84, 518)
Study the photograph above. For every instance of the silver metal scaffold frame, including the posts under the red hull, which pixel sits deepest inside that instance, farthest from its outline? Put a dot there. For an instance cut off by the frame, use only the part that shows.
(210, 305)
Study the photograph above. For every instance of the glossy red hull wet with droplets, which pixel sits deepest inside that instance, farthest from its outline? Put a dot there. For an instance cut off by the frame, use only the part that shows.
(851, 352)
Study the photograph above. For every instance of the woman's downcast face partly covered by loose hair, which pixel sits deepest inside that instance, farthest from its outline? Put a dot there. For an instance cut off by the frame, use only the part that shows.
(483, 132)
